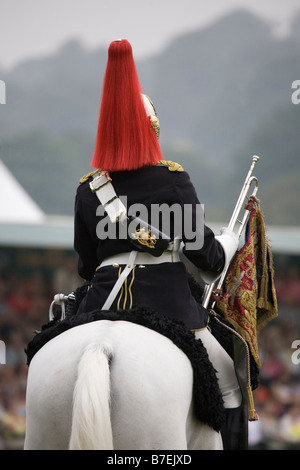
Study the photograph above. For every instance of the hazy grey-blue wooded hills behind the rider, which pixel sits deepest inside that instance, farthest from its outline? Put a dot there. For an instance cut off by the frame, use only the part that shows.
(222, 94)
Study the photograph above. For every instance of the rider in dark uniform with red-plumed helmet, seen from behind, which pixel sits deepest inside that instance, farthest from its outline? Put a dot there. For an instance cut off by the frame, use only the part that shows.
(144, 267)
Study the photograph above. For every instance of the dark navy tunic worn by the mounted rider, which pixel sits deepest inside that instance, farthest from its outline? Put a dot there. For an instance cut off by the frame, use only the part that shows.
(163, 287)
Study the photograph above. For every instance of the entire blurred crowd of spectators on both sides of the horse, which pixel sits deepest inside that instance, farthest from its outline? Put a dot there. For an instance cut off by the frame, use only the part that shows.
(24, 305)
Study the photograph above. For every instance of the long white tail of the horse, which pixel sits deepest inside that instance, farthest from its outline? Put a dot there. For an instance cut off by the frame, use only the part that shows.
(91, 423)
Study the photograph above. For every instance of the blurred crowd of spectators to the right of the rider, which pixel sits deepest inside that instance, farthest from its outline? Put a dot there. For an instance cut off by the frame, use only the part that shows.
(277, 398)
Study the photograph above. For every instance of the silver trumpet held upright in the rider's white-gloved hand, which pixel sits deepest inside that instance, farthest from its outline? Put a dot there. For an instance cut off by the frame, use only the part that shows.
(235, 224)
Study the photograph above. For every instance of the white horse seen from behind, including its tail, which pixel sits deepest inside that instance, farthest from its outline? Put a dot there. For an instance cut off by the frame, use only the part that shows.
(113, 385)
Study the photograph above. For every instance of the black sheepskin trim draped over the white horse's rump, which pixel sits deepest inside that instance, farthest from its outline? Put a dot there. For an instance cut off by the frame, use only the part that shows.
(208, 402)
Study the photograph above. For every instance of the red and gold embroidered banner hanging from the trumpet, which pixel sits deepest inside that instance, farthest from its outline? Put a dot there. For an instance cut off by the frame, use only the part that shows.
(249, 297)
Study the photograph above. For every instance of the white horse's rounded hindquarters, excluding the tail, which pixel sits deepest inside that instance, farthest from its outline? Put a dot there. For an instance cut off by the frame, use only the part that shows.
(151, 387)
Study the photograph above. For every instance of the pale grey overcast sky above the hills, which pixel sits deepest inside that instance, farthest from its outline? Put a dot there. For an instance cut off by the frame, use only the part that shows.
(34, 28)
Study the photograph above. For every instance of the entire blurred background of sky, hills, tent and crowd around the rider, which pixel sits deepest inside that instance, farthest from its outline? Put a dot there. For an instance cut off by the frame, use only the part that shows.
(220, 74)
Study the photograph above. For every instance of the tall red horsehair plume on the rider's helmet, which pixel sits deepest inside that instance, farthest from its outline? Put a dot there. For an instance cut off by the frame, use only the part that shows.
(125, 137)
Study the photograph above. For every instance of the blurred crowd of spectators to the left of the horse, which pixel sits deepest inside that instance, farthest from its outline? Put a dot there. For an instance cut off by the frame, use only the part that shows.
(24, 307)
